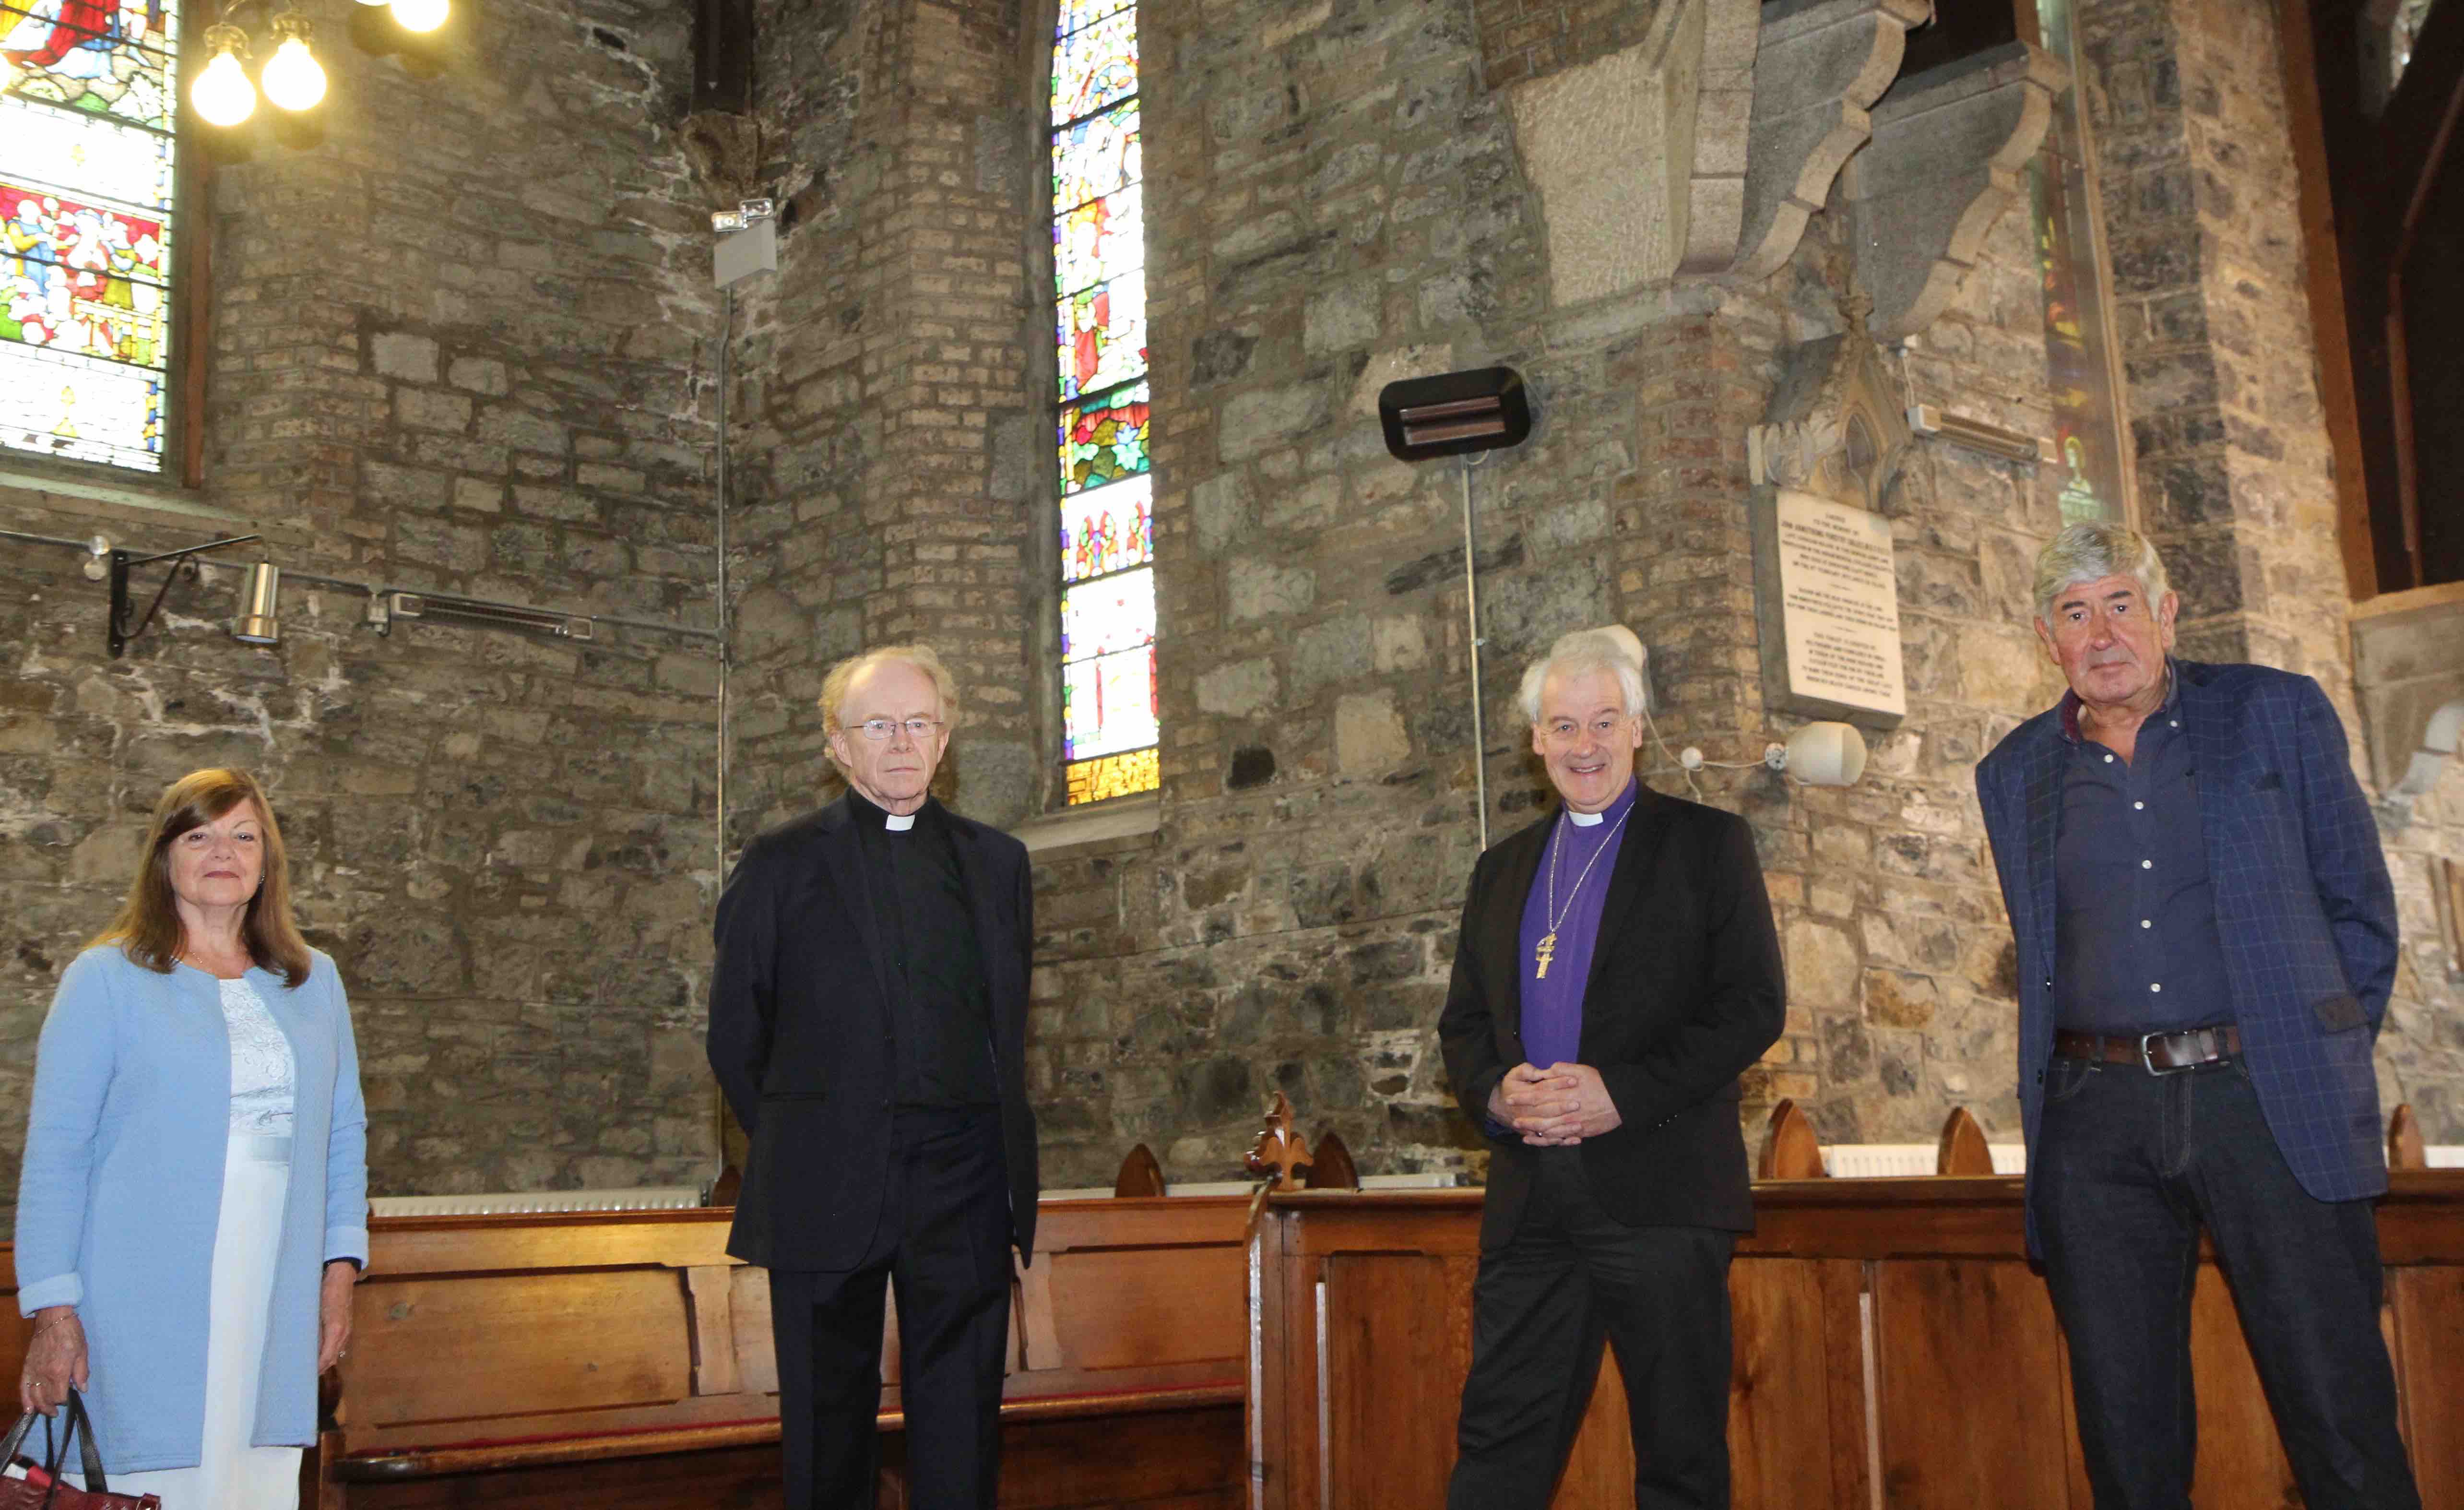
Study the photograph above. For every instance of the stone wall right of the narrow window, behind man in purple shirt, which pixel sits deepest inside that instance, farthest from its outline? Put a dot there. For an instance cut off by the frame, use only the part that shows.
(1342, 203)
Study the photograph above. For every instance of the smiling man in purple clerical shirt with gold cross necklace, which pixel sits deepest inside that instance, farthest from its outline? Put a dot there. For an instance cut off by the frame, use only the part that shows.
(1613, 979)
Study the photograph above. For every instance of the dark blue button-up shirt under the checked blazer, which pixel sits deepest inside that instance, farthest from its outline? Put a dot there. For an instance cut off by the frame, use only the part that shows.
(2135, 945)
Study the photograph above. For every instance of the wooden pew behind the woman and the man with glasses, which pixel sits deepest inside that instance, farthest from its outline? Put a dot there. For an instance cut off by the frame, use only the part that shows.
(625, 1363)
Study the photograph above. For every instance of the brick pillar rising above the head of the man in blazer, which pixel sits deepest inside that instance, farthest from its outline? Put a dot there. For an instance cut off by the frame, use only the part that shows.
(2214, 324)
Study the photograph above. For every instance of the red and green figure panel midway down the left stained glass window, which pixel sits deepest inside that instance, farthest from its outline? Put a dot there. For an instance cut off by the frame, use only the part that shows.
(83, 280)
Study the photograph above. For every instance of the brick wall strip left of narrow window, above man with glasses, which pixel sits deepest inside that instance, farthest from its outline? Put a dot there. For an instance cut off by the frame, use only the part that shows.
(896, 410)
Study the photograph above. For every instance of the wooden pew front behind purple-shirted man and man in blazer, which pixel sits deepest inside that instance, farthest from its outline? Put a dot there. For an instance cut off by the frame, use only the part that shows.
(1894, 1349)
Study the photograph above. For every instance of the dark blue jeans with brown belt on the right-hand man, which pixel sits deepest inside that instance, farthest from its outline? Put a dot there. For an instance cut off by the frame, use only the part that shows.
(2125, 1174)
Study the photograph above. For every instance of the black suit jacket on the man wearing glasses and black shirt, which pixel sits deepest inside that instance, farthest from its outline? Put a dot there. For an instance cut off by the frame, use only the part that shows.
(802, 1033)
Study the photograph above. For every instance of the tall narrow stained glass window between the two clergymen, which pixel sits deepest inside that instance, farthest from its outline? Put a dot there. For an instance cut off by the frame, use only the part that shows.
(1100, 329)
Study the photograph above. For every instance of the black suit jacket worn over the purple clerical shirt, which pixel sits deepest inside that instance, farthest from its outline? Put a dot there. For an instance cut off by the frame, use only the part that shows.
(1684, 996)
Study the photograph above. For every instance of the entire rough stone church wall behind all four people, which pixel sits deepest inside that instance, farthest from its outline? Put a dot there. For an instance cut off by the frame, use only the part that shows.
(467, 341)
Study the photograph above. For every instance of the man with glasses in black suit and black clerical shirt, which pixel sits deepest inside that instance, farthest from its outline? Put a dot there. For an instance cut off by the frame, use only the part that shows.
(869, 1026)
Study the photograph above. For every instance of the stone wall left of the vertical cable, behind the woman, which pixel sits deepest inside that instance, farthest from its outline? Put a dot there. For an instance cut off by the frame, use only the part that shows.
(460, 341)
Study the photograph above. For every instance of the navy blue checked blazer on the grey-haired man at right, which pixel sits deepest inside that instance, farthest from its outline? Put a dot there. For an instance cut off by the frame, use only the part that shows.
(2303, 903)
